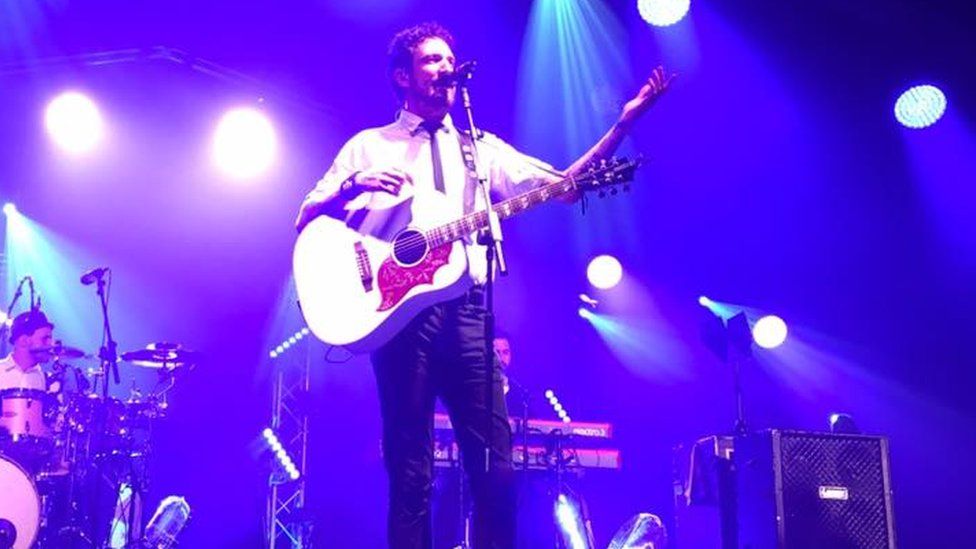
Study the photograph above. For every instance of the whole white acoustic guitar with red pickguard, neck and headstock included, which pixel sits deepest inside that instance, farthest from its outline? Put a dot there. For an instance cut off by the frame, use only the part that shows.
(357, 290)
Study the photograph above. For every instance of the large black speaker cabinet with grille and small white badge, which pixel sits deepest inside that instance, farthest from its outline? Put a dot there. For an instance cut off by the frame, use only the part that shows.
(799, 490)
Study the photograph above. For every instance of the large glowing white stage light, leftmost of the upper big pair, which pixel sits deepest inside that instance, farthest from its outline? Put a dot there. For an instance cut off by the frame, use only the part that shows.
(74, 123)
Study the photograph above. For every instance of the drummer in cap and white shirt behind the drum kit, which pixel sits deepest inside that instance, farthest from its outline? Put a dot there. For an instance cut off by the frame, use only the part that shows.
(29, 332)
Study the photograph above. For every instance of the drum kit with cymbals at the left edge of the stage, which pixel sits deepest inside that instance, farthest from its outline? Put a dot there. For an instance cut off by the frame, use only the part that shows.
(72, 457)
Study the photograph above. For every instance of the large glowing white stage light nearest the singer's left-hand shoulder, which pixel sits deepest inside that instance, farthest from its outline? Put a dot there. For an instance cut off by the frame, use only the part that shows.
(244, 143)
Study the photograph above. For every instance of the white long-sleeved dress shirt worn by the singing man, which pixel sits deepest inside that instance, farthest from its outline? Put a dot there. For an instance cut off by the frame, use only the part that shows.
(404, 145)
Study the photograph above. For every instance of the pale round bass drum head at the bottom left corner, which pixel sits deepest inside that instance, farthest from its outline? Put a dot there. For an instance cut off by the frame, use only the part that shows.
(20, 507)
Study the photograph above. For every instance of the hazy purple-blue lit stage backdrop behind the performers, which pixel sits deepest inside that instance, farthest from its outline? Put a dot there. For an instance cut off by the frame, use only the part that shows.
(778, 180)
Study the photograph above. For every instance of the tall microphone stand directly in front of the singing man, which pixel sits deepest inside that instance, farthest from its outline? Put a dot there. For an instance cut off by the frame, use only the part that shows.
(492, 239)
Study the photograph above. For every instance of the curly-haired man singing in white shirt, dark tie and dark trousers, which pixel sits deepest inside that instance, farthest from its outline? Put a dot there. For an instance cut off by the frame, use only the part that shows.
(417, 160)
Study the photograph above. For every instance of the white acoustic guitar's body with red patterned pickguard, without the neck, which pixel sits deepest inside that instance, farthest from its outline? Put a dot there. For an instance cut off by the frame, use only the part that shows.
(358, 291)
